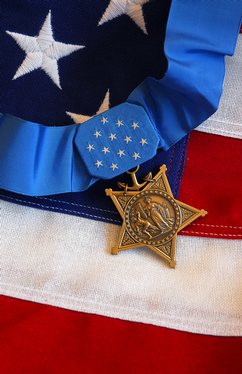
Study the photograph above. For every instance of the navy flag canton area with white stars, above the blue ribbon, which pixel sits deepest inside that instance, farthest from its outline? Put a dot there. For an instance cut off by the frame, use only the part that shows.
(65, 61)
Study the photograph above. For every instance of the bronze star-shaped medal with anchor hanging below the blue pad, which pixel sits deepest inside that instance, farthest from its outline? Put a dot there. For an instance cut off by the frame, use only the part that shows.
(151, 215)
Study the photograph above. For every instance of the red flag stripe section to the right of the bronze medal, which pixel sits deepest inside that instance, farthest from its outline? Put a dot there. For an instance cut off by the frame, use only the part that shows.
(212, 180)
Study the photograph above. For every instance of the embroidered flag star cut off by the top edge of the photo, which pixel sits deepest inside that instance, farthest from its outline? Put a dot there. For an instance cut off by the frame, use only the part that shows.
(132, 8)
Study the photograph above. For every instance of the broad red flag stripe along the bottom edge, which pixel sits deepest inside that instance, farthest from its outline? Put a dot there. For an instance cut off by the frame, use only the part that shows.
(43, 339)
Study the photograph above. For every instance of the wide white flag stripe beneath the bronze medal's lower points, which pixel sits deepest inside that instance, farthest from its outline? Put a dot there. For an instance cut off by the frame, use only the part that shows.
(65, 261)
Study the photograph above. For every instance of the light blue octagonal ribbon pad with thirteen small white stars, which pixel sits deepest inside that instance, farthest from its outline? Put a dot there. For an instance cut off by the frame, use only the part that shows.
(116, 141)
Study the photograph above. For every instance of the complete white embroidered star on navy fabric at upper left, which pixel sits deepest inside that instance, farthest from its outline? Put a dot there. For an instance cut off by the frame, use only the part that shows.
(42, 51)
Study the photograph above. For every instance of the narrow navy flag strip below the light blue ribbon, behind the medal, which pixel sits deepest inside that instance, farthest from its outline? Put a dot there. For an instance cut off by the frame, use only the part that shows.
(94, 203)
